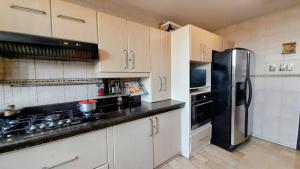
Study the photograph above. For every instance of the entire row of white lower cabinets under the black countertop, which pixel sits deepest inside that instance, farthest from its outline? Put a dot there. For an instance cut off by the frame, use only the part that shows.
(141, 144)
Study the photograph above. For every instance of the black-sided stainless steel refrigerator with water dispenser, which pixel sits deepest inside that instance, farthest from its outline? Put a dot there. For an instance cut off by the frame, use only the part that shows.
(232, 88)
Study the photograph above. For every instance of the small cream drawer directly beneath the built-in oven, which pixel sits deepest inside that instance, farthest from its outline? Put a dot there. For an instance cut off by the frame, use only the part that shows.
(200, 135)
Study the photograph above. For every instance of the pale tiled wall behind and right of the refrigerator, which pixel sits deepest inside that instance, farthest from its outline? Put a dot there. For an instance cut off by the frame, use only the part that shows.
(277, 94)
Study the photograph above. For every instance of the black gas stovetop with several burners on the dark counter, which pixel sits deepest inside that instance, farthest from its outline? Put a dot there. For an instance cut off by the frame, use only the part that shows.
(35, 123)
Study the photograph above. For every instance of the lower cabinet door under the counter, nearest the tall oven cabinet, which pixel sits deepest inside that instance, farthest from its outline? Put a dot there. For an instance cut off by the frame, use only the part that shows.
(167, 136)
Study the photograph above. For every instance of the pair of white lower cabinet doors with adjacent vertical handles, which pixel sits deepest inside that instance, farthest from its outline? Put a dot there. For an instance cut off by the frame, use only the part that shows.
(135, 141)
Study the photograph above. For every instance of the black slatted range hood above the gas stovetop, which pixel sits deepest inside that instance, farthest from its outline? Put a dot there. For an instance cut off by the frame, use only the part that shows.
(23, 46)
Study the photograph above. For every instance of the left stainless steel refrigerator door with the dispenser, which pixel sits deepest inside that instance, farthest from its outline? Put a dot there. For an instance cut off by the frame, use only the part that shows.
(240, 94)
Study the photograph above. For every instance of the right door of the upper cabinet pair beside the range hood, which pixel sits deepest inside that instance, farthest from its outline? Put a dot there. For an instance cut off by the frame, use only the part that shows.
(138, 48)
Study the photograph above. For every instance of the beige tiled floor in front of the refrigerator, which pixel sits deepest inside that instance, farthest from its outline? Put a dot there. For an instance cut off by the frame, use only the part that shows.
(256, 154)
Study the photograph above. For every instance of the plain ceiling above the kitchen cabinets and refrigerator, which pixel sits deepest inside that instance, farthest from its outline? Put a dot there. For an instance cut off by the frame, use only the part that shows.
(209, 14)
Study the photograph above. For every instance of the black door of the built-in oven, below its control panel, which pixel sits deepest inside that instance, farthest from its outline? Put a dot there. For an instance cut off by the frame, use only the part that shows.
(200, 113)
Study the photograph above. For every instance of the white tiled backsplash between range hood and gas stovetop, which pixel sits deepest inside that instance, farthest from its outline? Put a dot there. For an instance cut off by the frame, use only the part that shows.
(44, 69)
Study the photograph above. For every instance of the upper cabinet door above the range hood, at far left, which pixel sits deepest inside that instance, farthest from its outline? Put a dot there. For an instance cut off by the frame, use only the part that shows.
(30, 16)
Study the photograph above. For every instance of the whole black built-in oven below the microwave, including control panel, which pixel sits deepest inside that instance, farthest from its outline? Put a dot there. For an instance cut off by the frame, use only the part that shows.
(201, 109)
